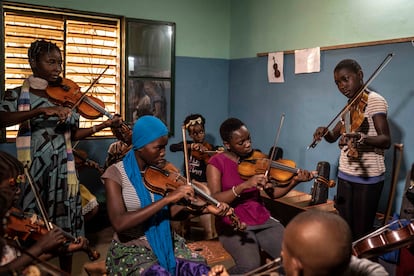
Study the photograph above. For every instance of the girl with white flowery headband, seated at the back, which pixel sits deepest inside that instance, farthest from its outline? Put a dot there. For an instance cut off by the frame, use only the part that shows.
(197, 160)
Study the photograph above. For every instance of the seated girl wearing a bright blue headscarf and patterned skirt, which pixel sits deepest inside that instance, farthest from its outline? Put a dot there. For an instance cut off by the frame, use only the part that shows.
(143, 242)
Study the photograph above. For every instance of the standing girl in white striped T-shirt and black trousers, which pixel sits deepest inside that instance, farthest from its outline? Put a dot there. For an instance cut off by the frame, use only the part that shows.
(360, 177)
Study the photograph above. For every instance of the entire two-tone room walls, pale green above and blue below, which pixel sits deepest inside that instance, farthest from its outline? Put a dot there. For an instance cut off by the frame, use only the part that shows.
(218, 75)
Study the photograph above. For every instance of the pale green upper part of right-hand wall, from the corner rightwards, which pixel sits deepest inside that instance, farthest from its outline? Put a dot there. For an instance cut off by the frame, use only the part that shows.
(276, 25)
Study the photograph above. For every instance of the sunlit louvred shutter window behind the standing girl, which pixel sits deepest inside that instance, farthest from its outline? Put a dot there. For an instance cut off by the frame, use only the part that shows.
(90, 46)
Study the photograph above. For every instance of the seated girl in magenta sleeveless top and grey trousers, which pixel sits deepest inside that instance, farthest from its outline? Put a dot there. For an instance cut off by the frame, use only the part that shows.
(225, 183)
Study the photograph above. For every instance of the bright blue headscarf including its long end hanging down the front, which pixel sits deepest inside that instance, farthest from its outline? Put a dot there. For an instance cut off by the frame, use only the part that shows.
(146, 130)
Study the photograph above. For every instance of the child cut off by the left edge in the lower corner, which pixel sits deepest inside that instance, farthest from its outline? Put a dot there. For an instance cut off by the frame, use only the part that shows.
(11, 178)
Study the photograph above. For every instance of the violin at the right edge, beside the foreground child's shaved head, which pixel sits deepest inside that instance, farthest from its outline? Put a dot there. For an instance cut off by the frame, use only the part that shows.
(383, 242)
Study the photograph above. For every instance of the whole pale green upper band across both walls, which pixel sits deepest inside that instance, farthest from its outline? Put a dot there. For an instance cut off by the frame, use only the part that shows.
(243, 28)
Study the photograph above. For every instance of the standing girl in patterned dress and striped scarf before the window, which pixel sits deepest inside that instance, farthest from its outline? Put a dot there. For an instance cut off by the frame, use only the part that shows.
(46, 130)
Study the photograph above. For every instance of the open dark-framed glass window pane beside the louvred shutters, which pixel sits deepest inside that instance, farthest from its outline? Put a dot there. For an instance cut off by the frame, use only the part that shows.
(150, 70)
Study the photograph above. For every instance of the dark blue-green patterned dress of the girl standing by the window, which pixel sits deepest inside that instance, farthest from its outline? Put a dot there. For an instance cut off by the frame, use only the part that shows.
(49, 166)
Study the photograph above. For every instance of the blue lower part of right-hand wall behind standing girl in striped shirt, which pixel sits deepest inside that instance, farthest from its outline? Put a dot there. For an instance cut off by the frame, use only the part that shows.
(311, 100)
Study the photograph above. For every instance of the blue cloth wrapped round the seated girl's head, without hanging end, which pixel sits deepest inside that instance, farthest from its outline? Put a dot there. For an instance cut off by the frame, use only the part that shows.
(146, 130)
